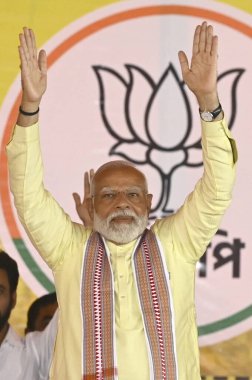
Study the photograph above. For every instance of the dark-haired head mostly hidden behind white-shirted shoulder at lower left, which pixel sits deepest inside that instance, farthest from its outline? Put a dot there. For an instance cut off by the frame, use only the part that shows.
(41, 312)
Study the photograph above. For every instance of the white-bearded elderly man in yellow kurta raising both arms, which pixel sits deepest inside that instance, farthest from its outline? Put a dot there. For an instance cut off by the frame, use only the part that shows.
(125, 292)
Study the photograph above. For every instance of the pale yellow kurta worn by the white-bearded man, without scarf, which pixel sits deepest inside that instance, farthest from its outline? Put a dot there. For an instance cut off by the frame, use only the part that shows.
(184, 237)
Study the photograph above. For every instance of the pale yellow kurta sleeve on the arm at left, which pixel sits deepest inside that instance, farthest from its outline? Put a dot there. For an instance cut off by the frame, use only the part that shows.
(49, 228)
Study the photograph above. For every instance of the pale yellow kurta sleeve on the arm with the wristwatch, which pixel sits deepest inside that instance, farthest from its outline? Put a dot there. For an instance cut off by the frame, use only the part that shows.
(192, 227)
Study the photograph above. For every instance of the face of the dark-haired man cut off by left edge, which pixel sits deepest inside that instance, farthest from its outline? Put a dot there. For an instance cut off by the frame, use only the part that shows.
(7, 300)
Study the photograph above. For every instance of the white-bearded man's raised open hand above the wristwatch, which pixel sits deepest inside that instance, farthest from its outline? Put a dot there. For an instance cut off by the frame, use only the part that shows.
(201, 75)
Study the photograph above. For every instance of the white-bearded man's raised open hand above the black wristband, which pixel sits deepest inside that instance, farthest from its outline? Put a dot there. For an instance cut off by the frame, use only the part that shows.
(33, 70)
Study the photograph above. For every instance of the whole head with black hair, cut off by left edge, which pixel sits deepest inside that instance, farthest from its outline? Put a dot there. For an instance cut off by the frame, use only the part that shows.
(9, 276)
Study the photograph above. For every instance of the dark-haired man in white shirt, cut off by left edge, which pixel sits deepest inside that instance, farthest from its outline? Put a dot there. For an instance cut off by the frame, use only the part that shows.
(26, 358)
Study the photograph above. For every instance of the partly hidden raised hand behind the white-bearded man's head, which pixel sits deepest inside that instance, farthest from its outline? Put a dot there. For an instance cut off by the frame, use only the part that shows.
(83, 207)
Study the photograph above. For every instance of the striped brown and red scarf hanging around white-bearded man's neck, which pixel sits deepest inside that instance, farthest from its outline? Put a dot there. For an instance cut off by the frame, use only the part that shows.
(99, 356)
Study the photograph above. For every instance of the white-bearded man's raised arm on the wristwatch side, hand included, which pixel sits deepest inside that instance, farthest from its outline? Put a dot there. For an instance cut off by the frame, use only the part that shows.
(195, 223)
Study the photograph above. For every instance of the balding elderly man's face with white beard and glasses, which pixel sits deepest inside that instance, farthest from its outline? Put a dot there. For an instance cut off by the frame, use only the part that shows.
(121, 203)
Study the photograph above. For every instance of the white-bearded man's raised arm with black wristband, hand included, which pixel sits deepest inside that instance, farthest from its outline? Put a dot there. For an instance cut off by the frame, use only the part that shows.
(46, 223)
